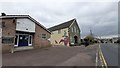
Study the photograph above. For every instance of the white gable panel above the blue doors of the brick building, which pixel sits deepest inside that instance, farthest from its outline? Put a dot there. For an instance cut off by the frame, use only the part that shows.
(25, 24)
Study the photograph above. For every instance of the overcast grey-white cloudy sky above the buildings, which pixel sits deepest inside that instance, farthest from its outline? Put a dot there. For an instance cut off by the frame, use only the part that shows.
(100, 17)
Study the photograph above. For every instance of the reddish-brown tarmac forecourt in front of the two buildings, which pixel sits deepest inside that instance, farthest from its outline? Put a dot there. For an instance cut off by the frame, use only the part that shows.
(53, 56)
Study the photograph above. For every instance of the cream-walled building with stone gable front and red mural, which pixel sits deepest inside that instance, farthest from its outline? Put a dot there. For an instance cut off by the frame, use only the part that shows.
(67, 33)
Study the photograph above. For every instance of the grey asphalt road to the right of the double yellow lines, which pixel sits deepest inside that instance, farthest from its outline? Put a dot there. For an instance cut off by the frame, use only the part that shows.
(110, 53)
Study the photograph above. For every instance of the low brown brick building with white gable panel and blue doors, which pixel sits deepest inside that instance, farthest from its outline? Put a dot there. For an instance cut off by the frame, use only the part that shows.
(21, 31)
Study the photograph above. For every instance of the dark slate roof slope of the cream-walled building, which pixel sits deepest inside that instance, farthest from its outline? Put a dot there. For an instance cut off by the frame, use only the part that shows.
(61, 26)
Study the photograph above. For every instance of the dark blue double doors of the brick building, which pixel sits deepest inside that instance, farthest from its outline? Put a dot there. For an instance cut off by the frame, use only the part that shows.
(23, 40)
